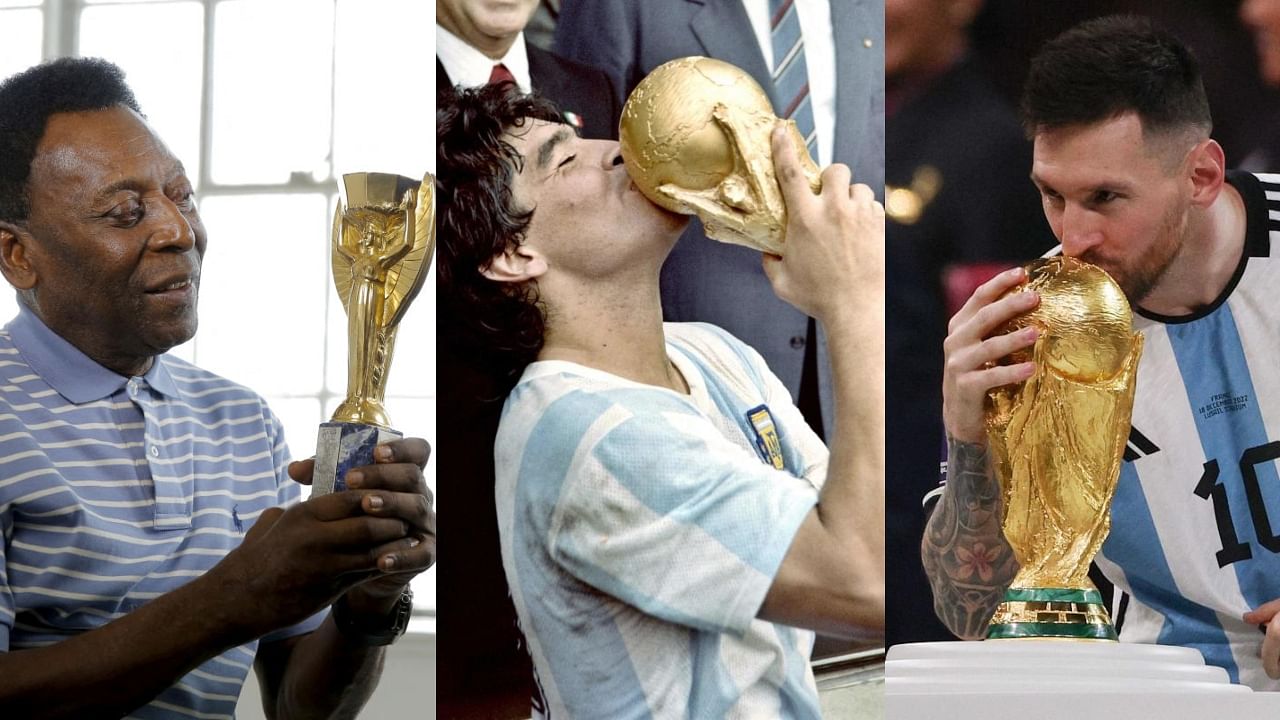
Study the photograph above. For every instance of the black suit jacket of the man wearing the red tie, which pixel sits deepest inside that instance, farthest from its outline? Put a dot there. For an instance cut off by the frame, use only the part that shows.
(582, 92)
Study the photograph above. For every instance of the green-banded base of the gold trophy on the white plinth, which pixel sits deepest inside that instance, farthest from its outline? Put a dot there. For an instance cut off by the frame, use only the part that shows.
(1076, 614)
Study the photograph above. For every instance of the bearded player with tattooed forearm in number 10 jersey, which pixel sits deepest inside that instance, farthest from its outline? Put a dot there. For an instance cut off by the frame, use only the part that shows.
(1132, 181)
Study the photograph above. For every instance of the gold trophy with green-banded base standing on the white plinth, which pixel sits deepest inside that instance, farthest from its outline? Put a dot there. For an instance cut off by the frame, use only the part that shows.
(1057, 446)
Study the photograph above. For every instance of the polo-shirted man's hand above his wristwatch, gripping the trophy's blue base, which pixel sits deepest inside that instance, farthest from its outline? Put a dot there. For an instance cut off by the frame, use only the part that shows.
(392, 490)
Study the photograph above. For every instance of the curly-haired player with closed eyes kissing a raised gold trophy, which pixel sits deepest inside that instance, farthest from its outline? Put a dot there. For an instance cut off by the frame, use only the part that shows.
(664, 532)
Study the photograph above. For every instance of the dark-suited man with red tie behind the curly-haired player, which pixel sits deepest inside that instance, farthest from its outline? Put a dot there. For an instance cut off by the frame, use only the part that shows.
(479, 42)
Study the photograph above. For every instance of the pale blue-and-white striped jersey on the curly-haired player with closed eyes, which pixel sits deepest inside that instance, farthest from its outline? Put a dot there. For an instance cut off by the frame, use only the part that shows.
(642, 530)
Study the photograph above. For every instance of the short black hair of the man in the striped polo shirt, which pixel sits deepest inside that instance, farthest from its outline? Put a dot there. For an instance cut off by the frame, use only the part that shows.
(29, 99)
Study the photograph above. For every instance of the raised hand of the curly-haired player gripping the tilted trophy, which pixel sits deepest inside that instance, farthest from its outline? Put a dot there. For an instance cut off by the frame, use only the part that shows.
(835, 249)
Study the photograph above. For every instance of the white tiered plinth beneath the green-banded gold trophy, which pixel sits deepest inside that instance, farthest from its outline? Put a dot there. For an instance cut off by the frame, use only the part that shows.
(1046, 680)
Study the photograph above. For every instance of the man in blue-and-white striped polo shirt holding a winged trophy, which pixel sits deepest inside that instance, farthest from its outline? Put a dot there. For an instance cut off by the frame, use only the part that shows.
(132, 580)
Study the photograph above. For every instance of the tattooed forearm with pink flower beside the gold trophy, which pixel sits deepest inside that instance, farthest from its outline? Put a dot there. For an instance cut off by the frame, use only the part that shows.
(966, 555)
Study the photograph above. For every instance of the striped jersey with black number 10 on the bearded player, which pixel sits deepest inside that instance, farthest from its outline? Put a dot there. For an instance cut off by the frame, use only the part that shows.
(1196, 517)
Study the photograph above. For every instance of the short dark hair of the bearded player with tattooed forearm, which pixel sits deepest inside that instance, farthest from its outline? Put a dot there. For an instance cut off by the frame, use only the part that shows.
(1108, 67)
